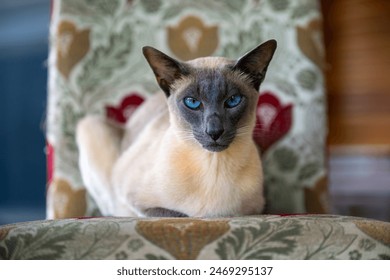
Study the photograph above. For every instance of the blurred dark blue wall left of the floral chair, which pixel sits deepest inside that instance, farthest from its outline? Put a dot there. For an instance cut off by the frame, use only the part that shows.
(23, 76)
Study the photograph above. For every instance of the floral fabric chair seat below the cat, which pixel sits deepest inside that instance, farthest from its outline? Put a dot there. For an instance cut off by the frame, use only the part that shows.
(257, 237)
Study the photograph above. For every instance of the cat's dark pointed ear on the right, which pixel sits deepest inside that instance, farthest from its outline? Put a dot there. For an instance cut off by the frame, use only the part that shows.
(255, 62)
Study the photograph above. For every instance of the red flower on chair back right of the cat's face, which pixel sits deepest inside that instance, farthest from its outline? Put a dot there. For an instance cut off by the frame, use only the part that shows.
(273, 120)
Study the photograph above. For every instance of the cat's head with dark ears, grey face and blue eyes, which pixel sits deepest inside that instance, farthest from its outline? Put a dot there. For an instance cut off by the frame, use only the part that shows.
(212, 100)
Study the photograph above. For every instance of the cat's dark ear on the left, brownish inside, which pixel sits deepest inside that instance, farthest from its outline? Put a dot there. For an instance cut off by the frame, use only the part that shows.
(165, 68)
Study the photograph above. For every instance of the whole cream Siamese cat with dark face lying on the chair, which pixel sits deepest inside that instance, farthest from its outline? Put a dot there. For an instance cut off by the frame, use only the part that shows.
(187, 152)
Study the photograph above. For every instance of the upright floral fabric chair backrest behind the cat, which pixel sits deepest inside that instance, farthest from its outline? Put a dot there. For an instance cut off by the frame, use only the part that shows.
(96, 67)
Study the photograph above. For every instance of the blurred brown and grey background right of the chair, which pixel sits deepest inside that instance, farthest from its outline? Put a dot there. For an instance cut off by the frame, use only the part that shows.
(357, 43)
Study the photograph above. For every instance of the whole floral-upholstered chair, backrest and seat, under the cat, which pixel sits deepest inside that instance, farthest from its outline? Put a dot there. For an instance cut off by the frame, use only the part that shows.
(96, 67)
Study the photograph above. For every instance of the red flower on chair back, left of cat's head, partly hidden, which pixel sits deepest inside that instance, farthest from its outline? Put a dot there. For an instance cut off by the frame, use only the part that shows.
(123, 111)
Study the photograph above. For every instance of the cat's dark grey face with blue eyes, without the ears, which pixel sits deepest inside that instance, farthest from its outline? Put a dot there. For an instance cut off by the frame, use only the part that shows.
(213, 104)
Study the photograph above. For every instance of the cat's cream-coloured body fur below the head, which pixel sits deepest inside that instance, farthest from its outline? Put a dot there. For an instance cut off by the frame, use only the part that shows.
(169, 171)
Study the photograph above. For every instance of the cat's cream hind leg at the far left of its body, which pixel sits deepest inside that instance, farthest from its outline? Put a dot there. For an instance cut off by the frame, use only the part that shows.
(99, 148)
